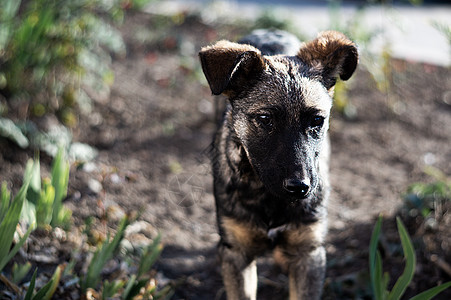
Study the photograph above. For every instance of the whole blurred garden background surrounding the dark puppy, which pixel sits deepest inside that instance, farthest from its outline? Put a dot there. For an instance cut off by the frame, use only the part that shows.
(106, 122)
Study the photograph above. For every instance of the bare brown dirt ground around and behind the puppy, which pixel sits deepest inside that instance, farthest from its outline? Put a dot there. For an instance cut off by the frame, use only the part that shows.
(153, 134)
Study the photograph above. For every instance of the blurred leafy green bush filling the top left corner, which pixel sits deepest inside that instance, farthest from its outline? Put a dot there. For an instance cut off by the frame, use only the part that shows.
(50, 53)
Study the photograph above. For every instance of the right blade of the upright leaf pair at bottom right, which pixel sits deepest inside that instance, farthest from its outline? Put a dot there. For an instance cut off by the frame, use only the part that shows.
(409, 270)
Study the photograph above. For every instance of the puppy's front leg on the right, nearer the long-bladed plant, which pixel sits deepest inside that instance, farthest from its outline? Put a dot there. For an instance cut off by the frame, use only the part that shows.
(306, 276)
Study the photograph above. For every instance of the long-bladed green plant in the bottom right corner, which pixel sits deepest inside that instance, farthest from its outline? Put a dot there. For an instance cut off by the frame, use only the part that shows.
(379, 280)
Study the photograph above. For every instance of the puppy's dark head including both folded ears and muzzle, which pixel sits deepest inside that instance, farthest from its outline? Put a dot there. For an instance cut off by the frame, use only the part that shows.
(280, 105)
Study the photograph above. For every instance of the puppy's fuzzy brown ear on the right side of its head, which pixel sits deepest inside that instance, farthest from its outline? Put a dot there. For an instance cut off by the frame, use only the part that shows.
(330, 55)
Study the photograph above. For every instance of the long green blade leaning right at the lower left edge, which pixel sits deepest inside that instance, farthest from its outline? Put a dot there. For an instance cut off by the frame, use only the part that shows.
(9, 223)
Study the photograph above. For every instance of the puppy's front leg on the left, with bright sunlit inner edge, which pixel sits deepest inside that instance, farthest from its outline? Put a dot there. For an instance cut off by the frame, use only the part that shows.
(239, 274)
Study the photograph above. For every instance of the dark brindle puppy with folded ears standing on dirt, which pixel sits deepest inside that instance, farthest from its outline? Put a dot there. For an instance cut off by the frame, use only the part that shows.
(270, 158)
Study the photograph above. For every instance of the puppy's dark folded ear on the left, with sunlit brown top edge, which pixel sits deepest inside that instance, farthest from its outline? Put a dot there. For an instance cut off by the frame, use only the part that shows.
(230, 66)
